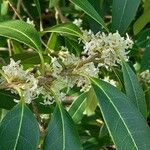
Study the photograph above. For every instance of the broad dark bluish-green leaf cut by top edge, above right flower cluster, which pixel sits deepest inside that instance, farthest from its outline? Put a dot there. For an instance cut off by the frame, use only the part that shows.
(123, 12)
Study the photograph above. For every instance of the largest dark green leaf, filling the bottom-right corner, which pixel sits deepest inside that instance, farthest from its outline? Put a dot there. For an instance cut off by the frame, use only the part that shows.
(125, 123)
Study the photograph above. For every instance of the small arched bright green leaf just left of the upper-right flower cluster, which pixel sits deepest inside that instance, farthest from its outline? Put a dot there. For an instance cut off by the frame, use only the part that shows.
(65, 28)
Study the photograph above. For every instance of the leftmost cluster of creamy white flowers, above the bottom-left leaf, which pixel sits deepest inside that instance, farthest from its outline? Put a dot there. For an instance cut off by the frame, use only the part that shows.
(21, 81)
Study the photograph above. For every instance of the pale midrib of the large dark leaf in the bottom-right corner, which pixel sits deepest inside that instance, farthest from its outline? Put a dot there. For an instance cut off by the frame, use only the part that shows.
(117, 112)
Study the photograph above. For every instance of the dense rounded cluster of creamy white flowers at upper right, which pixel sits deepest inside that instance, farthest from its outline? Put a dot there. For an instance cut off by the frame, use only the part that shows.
(111, 48)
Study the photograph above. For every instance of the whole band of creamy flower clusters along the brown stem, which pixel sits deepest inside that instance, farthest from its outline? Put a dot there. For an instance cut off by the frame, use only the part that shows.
(67, 70)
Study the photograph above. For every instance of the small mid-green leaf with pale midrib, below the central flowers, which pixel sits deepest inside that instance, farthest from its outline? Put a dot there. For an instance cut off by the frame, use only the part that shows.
(77, 108)
